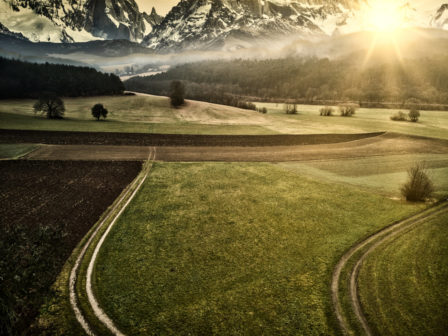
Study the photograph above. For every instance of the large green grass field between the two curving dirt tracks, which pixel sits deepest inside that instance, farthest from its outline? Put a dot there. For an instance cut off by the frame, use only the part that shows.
(220, 248)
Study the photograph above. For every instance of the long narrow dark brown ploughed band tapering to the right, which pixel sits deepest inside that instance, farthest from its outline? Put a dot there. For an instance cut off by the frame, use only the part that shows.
(139, 139)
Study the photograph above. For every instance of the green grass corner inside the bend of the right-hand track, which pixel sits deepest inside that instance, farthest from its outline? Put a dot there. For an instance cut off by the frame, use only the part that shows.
(404, 283)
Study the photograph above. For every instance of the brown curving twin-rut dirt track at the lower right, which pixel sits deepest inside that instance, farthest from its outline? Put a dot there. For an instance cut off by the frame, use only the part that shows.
(371, 243)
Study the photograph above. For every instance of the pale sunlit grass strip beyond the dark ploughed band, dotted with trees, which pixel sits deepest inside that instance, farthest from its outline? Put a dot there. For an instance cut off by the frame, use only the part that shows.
(148, 114)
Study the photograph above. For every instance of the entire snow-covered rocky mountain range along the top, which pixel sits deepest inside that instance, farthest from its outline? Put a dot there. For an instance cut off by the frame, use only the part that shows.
(197, 25)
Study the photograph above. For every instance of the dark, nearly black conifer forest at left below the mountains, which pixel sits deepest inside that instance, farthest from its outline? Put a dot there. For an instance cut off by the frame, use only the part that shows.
(28, 80)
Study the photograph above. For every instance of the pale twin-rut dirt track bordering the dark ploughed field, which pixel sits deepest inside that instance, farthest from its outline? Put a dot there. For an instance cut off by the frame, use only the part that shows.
(110, 218)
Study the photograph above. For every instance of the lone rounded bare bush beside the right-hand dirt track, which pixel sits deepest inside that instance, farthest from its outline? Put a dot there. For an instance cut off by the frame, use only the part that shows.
(419, 186)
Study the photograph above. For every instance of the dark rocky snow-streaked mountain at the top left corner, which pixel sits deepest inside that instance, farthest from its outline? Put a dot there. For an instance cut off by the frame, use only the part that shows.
(76, 20)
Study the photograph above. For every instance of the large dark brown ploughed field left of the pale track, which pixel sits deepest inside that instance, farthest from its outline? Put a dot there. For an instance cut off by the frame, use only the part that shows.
(47, 208)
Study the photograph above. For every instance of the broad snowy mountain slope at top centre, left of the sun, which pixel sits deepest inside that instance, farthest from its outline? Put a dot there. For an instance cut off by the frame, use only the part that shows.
(232, 23)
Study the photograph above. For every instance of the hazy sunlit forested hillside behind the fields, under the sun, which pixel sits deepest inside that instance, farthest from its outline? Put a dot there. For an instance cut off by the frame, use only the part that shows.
(311, 79)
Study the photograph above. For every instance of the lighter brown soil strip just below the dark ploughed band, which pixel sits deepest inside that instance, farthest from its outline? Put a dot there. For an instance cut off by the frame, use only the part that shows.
(386, 144)
